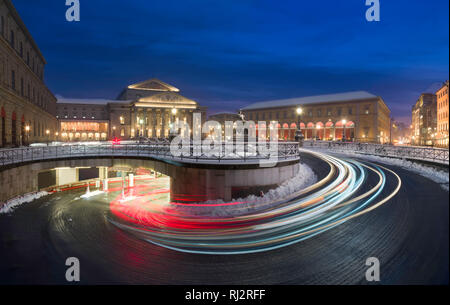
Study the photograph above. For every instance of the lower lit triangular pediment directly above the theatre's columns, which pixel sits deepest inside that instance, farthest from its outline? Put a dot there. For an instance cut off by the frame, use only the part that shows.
(166, 100)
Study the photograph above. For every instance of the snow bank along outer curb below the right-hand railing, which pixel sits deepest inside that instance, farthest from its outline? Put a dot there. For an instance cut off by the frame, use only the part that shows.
(439, 176)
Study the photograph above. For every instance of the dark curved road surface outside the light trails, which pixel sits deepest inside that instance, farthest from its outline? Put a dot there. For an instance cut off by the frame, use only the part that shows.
(409, 235)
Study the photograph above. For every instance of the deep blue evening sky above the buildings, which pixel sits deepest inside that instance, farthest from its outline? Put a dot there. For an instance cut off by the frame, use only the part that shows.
(226, 54)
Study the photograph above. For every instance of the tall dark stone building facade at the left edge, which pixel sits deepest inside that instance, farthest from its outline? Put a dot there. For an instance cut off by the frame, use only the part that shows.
(27, 106)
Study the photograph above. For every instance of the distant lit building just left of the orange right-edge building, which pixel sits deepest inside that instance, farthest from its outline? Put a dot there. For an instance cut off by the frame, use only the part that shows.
(424, 120)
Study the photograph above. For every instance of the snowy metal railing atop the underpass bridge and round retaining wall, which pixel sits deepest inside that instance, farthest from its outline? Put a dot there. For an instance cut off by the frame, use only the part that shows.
(236, 154)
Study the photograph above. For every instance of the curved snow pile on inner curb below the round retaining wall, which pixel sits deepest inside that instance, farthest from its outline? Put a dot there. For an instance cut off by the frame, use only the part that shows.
(252, 203)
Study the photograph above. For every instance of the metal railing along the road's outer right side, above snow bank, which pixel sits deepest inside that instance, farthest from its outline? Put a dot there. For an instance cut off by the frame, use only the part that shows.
(429, 154)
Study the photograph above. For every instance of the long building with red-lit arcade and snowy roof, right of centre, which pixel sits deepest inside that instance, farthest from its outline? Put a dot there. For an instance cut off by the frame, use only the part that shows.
(359, 115)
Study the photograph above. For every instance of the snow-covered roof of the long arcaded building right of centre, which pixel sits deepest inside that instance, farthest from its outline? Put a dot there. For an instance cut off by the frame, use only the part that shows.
(328, 98)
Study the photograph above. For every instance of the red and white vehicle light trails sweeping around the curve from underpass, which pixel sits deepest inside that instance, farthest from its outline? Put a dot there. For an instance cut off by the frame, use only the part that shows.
(330, 202)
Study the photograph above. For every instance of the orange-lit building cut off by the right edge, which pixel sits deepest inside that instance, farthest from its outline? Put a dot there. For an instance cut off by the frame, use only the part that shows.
(442, 116)
